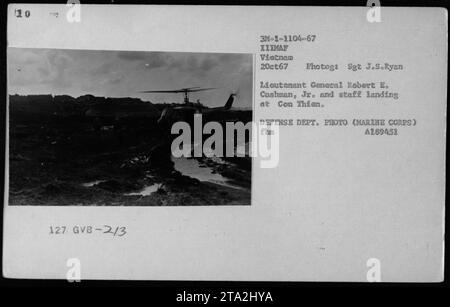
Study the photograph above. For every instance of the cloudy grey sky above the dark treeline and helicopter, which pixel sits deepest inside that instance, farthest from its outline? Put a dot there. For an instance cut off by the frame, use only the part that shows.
(125, 73)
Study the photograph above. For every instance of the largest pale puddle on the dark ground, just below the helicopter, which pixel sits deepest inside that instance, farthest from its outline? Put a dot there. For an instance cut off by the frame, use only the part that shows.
(192, 168)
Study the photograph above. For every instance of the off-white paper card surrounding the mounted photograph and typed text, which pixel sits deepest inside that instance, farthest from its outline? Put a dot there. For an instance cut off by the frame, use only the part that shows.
(337, 198)
